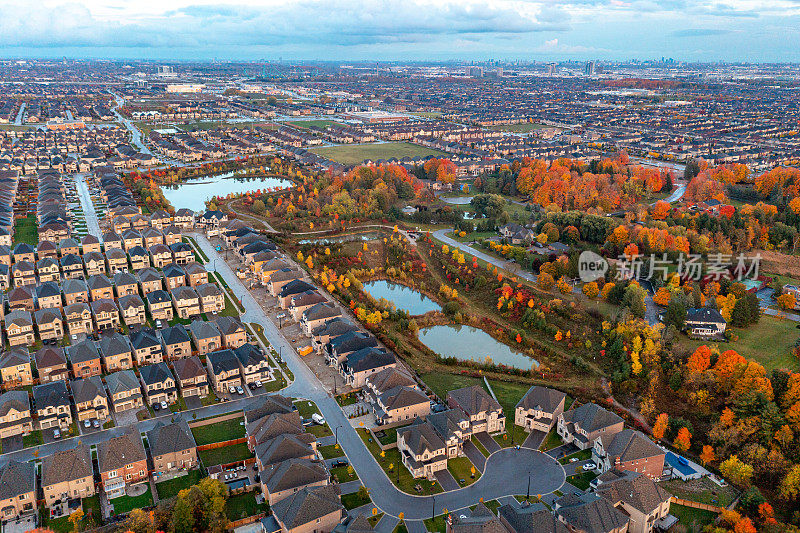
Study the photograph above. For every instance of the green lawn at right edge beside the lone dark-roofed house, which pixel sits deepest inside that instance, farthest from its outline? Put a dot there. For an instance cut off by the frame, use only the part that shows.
(777, 353)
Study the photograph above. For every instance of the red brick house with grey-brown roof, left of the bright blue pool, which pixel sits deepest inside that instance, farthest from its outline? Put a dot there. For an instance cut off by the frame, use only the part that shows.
(630, 450)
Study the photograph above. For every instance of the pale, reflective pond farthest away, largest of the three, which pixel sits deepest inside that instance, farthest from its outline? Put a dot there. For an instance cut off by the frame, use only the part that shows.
(194, 193)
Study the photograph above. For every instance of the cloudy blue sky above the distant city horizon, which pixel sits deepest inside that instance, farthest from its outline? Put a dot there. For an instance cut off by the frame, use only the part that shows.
(706, 30)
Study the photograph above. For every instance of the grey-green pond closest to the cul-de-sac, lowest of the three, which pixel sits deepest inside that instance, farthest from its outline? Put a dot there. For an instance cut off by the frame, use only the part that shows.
(466, 343)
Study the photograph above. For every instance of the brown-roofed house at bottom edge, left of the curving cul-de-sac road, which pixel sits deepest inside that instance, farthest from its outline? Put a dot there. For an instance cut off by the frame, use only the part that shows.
(309, 509)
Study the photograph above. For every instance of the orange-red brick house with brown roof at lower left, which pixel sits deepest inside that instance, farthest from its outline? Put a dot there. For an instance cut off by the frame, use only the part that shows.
(121, 461)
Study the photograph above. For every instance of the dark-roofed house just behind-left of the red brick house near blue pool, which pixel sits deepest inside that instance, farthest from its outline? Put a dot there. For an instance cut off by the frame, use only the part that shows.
(588, 423)
